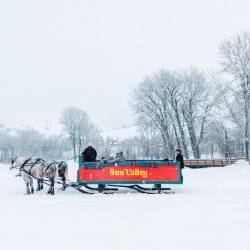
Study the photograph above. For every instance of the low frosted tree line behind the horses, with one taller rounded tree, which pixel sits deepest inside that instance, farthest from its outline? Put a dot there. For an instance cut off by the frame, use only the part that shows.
(77, 133)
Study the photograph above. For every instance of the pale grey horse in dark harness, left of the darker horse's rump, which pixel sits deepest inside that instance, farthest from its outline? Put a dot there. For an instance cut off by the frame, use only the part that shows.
(35, 168)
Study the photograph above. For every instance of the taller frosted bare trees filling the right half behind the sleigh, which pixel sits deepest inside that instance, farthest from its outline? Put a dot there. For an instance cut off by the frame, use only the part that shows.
(200, 113)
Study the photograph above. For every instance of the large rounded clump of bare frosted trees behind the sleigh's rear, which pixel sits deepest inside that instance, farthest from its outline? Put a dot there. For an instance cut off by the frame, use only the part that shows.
(173, 101)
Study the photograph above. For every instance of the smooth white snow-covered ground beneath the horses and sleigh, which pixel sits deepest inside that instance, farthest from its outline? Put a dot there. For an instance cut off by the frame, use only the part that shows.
(210, 211)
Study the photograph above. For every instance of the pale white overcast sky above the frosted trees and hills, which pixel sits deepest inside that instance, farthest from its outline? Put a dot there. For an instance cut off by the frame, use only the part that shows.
(90, 54)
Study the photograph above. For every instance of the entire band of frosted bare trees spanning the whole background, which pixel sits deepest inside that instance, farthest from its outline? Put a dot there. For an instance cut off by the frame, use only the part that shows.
(205, 114)
